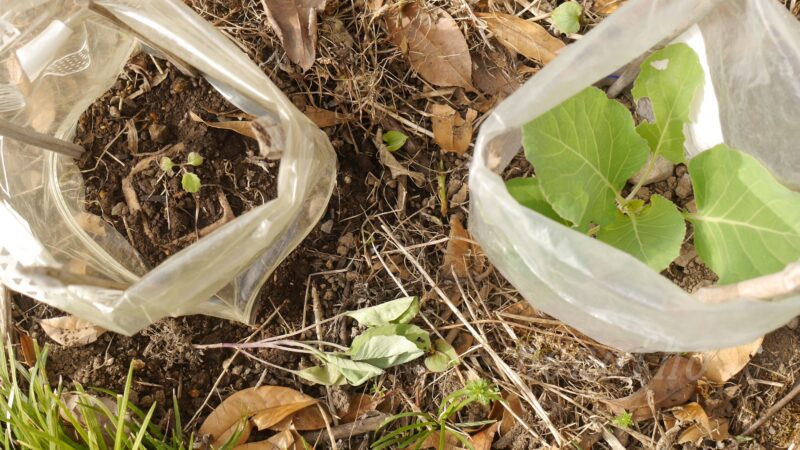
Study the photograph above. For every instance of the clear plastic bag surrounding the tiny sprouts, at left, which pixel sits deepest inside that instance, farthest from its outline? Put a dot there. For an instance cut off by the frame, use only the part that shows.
(56, 58)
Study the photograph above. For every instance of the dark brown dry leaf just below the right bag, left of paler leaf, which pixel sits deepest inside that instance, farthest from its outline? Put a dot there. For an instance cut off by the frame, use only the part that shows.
(673, 385)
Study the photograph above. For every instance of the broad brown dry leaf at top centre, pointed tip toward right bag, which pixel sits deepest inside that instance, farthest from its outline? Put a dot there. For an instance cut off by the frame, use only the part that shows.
(435, 47)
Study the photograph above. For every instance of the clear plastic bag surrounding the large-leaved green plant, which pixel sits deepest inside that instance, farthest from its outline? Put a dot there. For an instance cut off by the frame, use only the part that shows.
(751, 100)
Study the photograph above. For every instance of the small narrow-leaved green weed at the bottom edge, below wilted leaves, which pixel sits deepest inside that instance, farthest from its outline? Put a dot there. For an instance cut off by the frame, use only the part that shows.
(438, 427)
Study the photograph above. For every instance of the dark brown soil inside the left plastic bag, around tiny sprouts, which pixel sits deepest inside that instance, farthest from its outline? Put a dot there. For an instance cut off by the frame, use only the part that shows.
(119, 134)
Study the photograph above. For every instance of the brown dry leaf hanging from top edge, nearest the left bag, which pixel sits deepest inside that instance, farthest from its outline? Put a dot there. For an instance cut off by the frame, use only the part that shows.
(295, 23)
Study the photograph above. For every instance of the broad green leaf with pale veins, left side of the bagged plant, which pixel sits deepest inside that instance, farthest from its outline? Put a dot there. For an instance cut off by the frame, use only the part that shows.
(584, 150)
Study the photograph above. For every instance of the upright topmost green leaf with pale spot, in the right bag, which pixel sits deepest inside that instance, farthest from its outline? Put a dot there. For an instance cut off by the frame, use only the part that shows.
(670, 77)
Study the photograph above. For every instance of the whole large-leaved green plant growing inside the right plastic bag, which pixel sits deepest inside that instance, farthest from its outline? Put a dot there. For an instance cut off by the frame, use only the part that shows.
(585, 150)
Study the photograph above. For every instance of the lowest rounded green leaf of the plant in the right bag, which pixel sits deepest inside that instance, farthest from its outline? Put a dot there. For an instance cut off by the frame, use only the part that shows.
(653, 235)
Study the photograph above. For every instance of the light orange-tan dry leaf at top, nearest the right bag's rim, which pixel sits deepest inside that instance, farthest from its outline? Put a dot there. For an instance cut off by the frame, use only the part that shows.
(524, 37)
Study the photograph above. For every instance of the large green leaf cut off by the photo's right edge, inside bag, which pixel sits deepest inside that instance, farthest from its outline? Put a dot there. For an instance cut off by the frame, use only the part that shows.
(747, 224)
